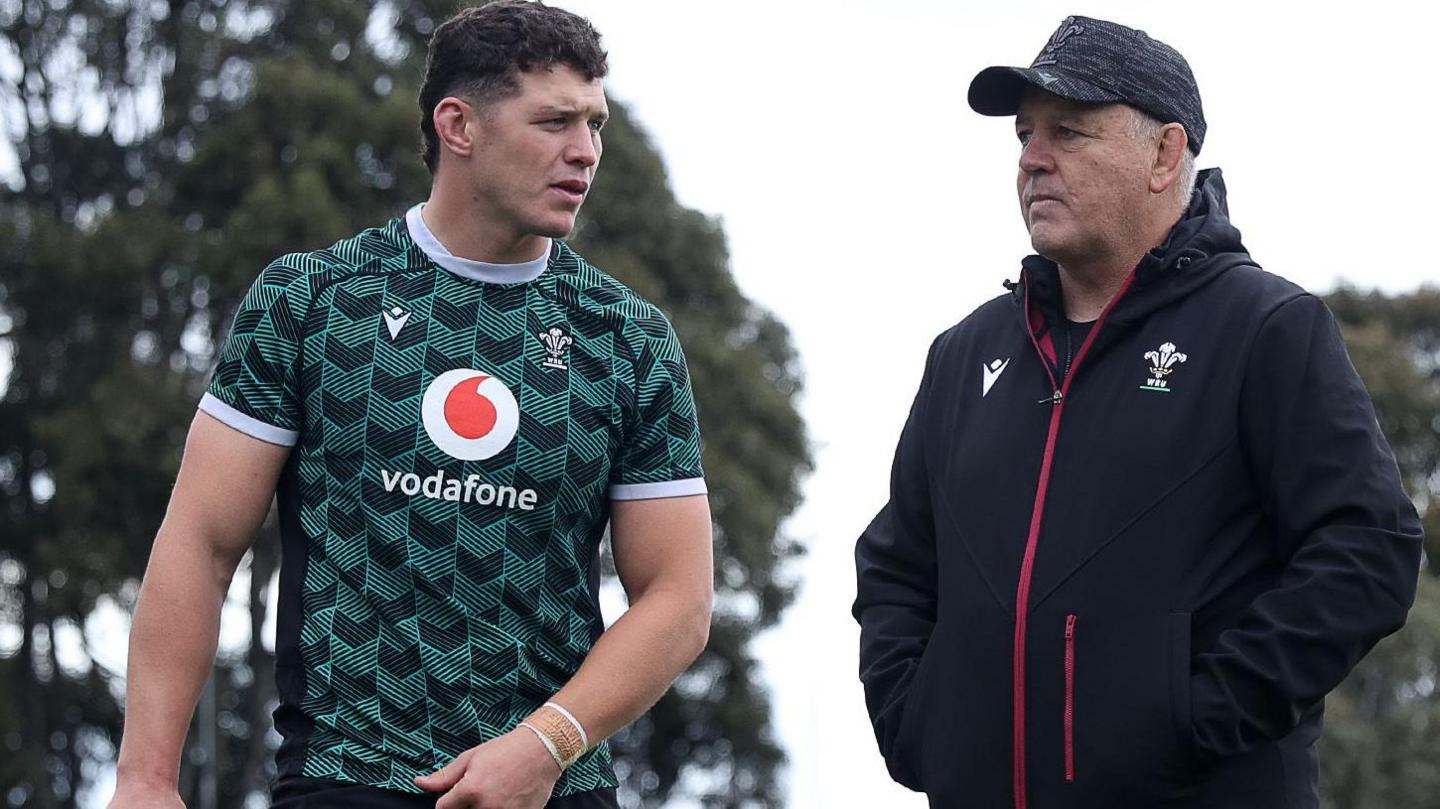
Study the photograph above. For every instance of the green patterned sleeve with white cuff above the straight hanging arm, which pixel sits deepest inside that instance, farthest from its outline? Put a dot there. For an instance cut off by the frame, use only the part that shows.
(256, 384)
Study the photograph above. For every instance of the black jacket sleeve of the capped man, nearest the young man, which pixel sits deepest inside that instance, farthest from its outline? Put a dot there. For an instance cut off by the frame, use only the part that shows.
(896, 587)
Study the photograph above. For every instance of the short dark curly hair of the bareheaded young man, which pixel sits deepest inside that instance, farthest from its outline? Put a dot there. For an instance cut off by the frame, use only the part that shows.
(480, 54)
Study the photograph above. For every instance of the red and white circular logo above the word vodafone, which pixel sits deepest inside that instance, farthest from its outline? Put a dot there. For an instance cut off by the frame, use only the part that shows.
(470, 415)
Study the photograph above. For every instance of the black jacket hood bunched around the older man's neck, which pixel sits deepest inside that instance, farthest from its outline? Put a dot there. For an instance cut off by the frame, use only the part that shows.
(1202, 247)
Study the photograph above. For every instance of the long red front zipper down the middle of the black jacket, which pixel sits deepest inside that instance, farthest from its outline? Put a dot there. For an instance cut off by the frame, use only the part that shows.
(1027, 566)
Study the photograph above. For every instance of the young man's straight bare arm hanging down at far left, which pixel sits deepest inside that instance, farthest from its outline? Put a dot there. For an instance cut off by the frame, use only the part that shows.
(221, 497)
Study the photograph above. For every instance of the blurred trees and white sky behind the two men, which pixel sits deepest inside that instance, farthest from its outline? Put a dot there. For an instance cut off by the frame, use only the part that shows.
(798, 185)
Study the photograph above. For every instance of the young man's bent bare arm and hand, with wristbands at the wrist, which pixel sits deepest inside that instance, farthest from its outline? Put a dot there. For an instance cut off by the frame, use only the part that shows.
(665, 561)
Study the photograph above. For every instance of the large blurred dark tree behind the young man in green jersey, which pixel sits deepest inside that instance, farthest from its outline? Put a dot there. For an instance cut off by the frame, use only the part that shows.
(129, 237)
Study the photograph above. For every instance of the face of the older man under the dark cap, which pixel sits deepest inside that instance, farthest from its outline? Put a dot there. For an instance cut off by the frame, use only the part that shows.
(1084, 178)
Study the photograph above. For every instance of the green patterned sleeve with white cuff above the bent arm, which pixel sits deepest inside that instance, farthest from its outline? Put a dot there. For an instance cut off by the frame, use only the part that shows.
(660, 456)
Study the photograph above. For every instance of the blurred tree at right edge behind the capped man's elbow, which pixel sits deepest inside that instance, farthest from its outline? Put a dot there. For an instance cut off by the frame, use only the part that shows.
(1383, 723)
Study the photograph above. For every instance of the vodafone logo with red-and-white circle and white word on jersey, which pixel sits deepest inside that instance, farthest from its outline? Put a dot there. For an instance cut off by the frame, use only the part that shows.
(472, 417)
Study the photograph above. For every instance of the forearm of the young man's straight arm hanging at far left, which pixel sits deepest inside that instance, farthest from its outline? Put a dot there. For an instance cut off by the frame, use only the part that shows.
(172, 648)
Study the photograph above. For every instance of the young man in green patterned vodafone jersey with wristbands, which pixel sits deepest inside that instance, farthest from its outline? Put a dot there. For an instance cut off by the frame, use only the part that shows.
(451, 410)
